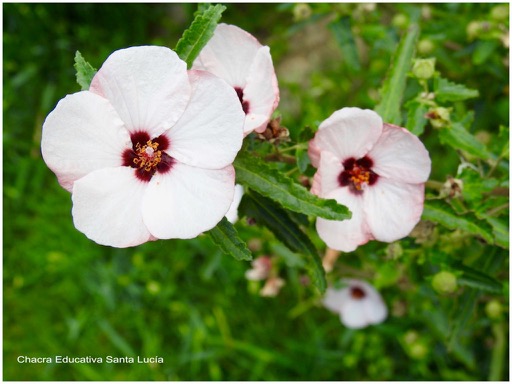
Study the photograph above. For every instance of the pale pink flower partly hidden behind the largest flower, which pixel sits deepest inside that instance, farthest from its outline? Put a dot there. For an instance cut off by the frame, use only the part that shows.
(237, 57)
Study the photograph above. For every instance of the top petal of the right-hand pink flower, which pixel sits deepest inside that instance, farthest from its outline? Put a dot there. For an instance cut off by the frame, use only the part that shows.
(349, 132)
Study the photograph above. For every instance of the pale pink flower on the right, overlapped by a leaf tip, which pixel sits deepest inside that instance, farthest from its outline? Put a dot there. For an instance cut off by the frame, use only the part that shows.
(377, 170)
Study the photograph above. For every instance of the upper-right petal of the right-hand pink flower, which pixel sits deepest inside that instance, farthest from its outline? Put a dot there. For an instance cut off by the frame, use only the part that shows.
(401, 156)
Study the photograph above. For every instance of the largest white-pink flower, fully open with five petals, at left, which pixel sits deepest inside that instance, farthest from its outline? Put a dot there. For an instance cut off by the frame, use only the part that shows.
(147, 151)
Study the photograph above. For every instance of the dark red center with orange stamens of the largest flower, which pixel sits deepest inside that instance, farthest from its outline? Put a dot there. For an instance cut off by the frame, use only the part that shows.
(147, 155)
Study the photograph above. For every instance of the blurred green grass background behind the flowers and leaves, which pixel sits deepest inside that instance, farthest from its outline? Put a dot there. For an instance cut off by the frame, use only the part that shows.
(184, 300)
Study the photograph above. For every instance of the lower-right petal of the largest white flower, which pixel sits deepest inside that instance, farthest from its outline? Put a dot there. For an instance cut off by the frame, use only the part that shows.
(187, 201)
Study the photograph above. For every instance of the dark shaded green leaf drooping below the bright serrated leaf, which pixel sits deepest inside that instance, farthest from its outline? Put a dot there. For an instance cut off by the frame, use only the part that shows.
(270, 214)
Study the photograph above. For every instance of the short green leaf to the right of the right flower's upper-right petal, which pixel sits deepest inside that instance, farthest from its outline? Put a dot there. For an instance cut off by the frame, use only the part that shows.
(457, 137)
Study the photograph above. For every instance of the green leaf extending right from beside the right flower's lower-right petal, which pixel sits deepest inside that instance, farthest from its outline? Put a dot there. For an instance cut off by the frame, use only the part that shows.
(441, 212)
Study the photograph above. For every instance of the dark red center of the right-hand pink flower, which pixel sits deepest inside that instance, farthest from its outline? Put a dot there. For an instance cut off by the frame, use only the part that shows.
(357, 173)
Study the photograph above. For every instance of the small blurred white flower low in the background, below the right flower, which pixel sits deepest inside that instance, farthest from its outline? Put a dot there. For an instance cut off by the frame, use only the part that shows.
(357, 302)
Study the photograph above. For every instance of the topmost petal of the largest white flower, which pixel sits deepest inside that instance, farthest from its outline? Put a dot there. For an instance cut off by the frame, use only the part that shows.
(148, 86)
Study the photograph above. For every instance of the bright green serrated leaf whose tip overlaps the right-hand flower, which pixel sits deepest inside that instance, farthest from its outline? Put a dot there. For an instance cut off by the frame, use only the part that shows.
(257, 175)
